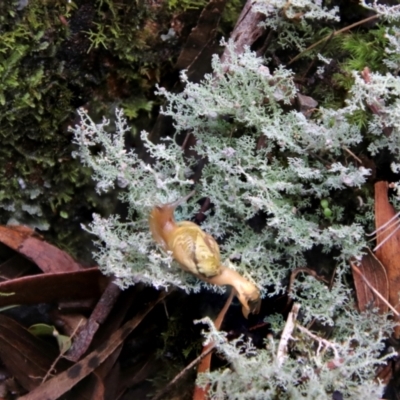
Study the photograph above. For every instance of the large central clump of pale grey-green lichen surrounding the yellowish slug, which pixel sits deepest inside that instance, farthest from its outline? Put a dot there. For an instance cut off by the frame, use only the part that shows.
(279, 179)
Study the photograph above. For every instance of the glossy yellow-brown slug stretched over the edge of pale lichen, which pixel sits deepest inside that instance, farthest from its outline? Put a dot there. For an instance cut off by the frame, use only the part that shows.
(198, 253)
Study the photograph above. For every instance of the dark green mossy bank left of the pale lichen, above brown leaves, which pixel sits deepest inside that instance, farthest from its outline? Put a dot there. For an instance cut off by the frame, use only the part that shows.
(54, 57)
